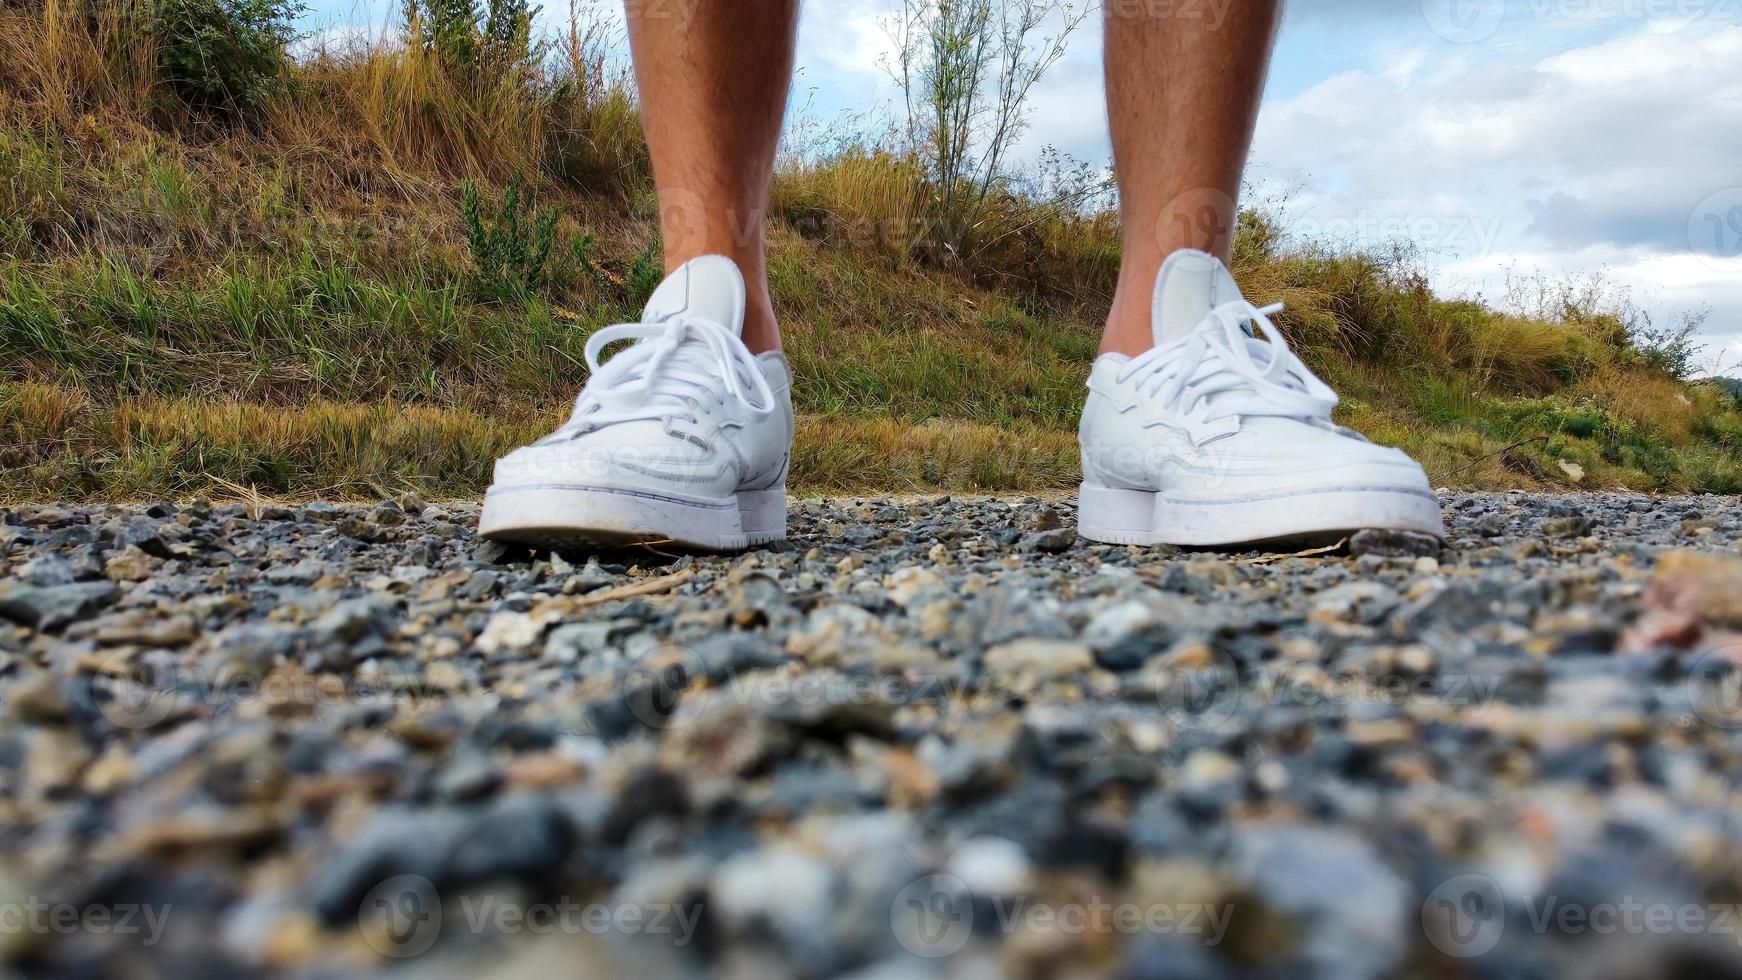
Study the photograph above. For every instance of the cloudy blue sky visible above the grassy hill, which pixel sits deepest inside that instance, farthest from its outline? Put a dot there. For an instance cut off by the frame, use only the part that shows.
(1555, 138)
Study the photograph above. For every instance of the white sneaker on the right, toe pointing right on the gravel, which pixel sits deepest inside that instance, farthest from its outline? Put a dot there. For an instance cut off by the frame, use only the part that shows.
(1219, 438)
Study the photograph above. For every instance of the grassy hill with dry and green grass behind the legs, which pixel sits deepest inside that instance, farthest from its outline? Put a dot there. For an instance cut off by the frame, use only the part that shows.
(271, 285)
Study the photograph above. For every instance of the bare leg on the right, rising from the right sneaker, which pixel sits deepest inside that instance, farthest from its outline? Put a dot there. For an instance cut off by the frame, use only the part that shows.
(1182, 97)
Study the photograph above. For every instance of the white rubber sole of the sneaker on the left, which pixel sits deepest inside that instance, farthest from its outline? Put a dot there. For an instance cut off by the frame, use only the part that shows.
(560, 516)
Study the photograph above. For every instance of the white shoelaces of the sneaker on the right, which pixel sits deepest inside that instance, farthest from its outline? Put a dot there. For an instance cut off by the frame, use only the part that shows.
(1227, 372)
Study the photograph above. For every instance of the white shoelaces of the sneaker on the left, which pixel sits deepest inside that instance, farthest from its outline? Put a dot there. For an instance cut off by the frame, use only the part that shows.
(675, 365)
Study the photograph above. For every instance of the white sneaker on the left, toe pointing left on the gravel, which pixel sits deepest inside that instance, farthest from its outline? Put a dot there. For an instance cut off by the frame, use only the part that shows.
(682, 438)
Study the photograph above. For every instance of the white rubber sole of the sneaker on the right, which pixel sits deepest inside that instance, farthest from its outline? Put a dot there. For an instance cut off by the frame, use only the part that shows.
(1147, 518)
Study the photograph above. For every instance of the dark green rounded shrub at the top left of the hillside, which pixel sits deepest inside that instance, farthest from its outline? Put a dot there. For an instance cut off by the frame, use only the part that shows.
(222, 57)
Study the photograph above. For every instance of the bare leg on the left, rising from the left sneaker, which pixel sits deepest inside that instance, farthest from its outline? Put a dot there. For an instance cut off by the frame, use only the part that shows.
(713, 77)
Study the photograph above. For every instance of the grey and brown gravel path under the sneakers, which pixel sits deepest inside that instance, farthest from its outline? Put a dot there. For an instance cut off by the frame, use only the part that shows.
(922, 739)
